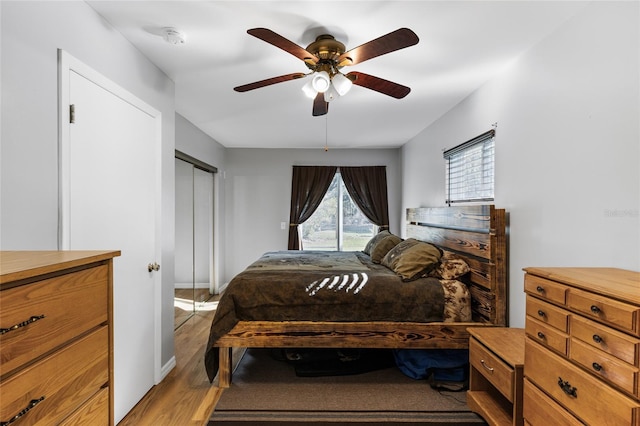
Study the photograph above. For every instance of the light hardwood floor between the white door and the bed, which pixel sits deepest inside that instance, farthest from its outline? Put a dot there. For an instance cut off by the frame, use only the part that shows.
(185, 396)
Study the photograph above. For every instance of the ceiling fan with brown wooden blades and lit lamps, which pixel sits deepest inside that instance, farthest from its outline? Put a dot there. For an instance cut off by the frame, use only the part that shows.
(326, 56)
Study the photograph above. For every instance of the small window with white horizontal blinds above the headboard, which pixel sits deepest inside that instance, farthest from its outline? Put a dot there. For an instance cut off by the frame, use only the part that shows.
(470, 170)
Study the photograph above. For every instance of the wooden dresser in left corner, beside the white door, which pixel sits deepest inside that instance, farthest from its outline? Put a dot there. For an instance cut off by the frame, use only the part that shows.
(56, 339)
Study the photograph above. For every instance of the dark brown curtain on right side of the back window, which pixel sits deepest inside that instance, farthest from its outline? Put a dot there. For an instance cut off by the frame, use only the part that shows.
(368, 189)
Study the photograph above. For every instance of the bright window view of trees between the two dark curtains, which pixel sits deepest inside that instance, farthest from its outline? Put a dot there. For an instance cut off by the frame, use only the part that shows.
(338, 223)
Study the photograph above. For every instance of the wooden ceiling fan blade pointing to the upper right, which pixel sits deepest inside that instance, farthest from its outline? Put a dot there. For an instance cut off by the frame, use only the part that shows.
(396, 40)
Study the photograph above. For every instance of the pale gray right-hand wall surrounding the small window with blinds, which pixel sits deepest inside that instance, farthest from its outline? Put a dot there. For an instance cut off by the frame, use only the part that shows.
(567, 147)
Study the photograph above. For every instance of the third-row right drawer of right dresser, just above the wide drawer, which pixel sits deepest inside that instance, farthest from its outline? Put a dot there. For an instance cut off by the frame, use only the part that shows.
(606, 366)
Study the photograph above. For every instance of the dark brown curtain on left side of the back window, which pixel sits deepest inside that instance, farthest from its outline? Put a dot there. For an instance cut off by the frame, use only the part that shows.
(308, 187)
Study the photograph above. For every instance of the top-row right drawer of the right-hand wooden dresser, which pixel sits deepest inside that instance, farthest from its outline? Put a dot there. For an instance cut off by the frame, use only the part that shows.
(619, 314)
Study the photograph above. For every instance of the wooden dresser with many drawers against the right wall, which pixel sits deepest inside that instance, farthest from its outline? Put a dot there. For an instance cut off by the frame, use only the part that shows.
(582, 350)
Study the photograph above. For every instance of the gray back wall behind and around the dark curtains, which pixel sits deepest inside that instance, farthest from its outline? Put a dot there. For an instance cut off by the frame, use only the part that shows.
(258, 194)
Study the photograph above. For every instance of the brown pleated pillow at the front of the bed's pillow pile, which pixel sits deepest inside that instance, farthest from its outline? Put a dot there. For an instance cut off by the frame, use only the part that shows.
(412, 259)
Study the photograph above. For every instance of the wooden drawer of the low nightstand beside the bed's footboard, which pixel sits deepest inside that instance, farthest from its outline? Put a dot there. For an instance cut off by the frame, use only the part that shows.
(496, 371)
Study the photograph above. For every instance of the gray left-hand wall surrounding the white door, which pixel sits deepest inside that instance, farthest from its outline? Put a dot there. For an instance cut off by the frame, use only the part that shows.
(31, 33)
